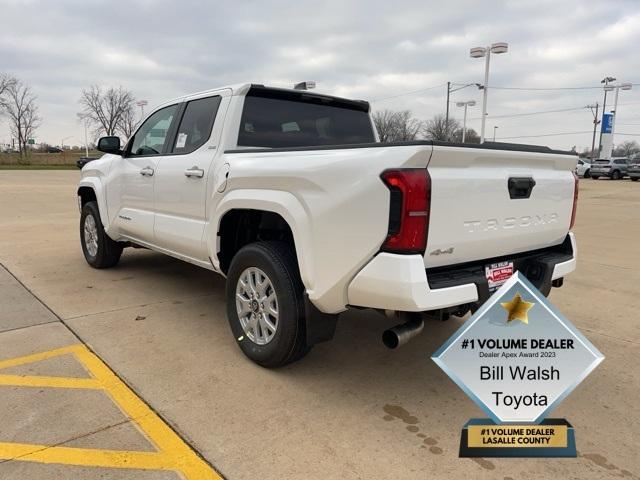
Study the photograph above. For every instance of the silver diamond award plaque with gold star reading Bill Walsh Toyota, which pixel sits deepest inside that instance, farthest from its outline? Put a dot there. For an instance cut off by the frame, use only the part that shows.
(517, 357)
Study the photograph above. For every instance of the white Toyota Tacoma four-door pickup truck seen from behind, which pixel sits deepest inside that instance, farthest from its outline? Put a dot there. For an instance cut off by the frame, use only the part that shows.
(290, 195)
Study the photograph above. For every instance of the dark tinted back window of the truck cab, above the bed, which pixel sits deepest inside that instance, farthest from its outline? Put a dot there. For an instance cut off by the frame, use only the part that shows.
(276, 119)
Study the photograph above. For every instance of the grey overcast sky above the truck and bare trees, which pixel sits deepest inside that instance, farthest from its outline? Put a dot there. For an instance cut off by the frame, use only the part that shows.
(363, 49)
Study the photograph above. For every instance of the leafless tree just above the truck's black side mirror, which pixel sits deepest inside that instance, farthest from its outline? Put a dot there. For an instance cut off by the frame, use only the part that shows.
(106, 110)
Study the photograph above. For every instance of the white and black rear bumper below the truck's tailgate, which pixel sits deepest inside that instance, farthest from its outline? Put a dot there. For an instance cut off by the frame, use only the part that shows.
(400, 282)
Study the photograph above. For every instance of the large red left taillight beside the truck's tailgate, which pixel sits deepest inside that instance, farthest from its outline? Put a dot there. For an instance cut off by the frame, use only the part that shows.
(410, 200)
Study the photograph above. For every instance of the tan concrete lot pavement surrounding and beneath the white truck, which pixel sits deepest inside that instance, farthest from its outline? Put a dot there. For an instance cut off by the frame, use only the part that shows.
(351, 409)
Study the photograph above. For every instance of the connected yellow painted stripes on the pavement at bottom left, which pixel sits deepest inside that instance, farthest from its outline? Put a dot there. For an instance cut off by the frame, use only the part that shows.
(172, 452)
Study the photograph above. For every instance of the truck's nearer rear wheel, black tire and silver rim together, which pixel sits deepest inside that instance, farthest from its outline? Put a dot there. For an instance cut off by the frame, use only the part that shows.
(265, 305)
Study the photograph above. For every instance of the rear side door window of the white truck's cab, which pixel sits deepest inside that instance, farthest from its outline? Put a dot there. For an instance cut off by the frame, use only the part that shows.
(196, 124)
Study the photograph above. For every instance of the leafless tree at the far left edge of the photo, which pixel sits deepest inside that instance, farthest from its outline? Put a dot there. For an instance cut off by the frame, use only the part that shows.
(19, 105)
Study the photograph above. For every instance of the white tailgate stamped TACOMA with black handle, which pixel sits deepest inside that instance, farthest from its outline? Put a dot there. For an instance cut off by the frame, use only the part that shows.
(474, 215)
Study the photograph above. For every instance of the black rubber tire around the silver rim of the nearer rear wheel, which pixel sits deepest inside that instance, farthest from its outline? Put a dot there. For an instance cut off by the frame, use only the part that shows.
(277, 260)
